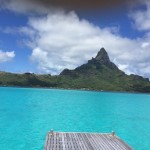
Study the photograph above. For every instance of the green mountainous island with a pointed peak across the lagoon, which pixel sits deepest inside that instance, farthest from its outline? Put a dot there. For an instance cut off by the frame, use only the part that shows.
(99, 73)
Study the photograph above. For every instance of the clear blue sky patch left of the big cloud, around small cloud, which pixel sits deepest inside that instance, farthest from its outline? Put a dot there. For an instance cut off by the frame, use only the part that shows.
(11, 42)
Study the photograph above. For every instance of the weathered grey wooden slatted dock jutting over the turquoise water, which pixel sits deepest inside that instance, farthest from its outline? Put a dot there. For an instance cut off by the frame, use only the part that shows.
(84, 141)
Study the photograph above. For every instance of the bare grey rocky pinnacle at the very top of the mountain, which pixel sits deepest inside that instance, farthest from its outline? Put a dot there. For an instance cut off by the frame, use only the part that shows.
(102, 56)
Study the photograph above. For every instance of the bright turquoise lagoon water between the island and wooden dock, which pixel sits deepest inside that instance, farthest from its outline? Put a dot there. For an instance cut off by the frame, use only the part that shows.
(26, 115)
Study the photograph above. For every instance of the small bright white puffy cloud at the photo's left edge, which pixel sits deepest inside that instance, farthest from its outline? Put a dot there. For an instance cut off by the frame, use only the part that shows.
(6, 56)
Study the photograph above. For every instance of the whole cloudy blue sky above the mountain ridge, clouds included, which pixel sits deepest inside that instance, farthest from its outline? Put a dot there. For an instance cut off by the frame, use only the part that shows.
(48, 36)
